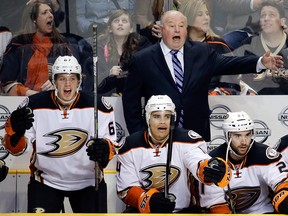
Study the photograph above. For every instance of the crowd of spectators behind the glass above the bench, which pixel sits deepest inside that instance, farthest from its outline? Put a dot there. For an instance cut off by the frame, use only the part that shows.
(231, 27)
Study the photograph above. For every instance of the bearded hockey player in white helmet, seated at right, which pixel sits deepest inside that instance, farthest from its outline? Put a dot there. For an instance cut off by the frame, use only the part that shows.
(255, 168)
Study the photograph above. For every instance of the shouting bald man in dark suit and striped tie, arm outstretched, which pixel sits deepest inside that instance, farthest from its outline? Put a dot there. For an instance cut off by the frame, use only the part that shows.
(151, 72)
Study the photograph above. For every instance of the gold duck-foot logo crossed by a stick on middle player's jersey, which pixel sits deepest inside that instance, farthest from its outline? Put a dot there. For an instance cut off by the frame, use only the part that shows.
(155, 175)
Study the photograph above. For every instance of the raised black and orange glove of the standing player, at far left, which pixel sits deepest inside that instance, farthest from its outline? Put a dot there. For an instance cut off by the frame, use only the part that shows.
(19, 121)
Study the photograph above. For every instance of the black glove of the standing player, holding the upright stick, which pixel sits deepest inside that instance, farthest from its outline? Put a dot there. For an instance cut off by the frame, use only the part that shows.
(98, 150)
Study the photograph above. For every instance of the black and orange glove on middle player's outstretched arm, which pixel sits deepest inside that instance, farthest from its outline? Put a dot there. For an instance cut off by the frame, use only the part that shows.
(217, 172)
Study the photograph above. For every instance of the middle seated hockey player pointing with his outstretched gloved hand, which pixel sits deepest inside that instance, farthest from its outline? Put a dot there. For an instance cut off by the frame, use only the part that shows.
(142, 162)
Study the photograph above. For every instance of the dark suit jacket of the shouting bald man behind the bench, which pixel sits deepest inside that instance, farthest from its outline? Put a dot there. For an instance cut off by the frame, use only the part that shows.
(149, 75)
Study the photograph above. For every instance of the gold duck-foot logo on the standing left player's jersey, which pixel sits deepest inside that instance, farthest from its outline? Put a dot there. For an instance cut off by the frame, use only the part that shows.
(66, 142)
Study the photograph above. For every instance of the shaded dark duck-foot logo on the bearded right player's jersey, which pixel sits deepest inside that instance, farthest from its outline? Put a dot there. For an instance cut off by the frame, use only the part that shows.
(244, 197)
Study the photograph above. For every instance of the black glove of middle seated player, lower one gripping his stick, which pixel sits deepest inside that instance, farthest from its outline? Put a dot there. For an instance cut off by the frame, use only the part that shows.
(159, 204)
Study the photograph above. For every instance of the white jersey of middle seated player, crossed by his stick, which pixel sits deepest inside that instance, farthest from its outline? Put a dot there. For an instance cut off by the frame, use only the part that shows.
(144, 165)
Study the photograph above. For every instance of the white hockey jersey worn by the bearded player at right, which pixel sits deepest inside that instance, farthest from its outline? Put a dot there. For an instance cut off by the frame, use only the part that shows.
(263, 168)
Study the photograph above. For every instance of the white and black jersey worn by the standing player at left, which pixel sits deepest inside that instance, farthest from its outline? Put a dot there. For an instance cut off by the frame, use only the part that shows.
(59, 137)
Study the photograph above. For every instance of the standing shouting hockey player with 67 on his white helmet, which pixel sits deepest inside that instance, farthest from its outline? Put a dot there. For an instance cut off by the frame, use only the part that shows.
(58, 124)
